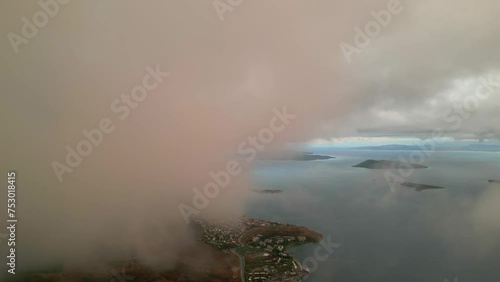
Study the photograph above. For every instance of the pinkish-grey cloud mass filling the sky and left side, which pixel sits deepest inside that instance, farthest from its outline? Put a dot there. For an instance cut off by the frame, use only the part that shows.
(225, 79)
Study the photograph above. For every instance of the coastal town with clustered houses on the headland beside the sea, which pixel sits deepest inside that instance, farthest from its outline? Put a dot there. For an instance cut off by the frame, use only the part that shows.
(261, 246)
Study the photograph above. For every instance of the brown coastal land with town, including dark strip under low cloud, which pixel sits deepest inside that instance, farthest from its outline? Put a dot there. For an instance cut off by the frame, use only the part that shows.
(244, 249)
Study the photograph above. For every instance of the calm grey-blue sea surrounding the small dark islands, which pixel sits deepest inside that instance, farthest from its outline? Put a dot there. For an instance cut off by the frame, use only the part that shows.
(390, 236)
